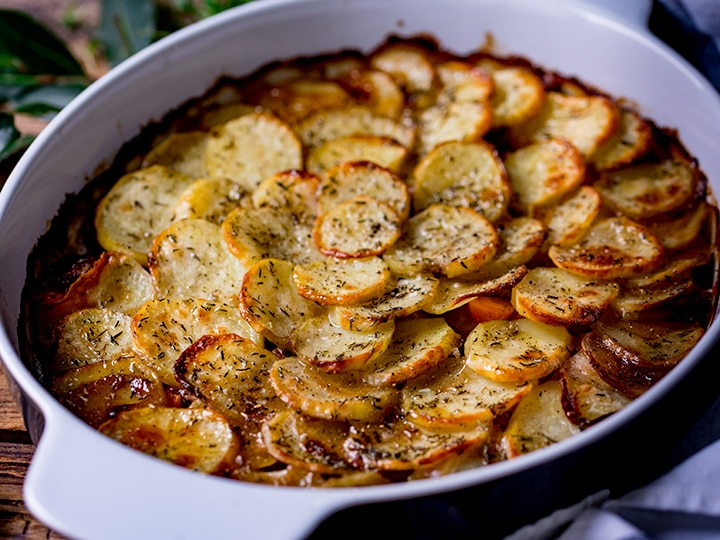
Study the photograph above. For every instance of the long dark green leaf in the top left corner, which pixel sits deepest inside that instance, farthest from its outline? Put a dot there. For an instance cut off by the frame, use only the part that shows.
(38, 50)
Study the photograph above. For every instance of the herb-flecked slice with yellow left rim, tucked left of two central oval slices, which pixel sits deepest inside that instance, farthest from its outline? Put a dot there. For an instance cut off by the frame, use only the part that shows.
(270, 301)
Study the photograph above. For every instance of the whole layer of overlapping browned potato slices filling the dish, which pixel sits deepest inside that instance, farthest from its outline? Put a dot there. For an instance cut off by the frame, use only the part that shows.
(362, 269)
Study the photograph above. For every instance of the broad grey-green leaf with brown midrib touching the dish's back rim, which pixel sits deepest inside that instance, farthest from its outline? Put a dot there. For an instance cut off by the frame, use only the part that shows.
(126, 26)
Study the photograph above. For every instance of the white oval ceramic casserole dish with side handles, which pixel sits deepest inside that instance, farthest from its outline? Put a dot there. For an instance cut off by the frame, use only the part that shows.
(80, 482)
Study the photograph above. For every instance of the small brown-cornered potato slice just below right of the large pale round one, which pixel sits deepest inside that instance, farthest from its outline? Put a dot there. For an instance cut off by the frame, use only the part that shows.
(292, 191)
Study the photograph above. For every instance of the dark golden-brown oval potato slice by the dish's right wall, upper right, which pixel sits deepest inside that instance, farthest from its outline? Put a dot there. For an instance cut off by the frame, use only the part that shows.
(646, 190)
